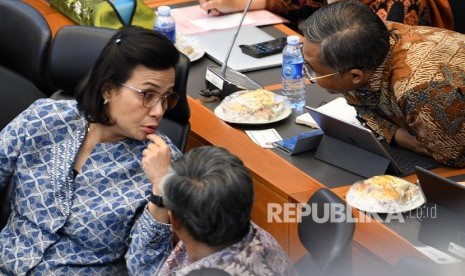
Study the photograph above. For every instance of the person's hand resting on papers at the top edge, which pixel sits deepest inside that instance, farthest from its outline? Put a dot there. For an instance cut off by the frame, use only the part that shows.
(217, 7)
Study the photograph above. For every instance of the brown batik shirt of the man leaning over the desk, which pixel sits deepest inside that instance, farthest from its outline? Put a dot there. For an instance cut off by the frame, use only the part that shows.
(420, 87)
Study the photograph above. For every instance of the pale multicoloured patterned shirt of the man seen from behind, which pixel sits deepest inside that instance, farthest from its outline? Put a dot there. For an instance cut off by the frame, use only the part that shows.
(257, 253)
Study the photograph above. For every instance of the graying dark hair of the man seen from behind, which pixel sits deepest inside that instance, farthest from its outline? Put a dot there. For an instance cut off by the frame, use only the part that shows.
(210, 192)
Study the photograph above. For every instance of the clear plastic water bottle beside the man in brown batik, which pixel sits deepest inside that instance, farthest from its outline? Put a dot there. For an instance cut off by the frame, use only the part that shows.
(293, 80)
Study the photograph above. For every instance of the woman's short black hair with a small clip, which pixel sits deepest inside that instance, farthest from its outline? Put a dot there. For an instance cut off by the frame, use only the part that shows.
(129, 47)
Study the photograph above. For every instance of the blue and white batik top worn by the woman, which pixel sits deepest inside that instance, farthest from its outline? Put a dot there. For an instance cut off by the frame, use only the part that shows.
(65, 226)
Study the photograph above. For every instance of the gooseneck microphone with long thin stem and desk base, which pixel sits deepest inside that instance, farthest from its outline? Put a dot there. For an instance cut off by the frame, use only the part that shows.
(223, 81)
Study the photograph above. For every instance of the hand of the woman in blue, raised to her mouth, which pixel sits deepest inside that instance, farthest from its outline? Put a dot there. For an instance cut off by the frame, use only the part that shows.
(156, 160)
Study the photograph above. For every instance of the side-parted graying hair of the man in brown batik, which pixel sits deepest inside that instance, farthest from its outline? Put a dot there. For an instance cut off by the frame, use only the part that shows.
(351, 36)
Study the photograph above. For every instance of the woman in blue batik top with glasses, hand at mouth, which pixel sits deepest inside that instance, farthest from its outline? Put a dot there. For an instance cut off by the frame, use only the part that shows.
(80, 193)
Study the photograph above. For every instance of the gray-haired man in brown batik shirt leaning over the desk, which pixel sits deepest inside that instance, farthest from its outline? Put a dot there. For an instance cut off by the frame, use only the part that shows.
(406, 82)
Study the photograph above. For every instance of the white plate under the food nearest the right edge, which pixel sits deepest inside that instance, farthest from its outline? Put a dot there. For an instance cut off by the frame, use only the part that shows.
(372, 206)
